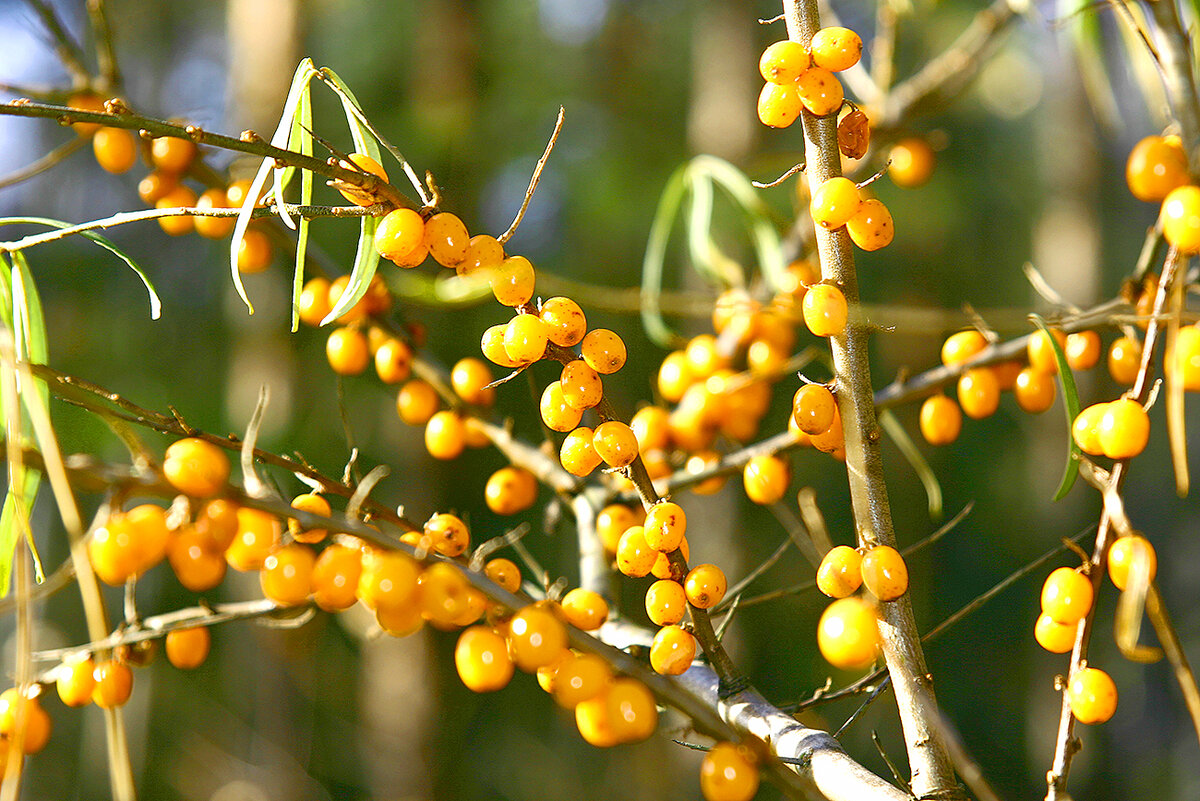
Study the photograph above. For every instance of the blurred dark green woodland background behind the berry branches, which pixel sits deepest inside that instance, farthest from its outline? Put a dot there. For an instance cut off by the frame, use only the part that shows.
(1029, 171)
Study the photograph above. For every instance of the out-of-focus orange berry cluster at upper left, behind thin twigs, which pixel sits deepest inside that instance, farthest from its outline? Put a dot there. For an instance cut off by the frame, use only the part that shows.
(117, 152)
